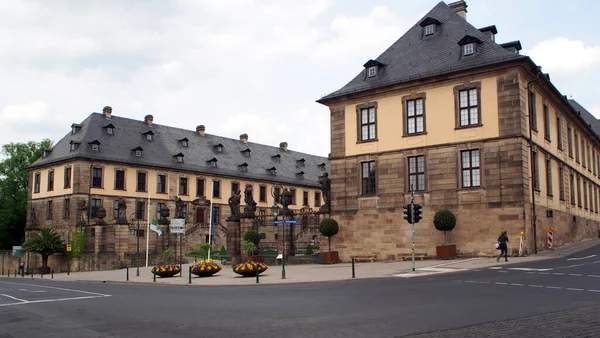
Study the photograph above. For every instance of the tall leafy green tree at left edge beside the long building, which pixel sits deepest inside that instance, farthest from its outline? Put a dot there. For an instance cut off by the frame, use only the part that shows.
(16, 157)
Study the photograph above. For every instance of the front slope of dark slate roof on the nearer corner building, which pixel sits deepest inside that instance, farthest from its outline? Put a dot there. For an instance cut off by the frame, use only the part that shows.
(415, 56)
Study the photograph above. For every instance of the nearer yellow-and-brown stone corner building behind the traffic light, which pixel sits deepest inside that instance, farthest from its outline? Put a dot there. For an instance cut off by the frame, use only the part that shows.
(477, 128)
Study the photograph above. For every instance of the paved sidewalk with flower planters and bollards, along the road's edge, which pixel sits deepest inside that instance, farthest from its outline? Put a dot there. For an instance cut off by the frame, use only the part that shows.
(316, 272)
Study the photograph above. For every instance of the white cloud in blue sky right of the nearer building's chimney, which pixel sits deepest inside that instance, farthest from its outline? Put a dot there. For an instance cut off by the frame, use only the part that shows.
(564, 57)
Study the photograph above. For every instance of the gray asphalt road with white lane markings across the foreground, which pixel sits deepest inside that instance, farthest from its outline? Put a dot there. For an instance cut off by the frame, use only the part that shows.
(553, 298)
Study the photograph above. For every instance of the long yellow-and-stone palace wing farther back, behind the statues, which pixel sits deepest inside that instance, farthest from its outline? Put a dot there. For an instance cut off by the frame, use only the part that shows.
(109, 173)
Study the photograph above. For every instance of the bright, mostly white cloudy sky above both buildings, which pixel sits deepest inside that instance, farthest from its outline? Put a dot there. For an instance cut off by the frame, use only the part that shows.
(244, 66)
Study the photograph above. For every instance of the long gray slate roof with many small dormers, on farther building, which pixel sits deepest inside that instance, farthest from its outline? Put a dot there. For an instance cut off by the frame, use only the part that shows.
(128, 134)
